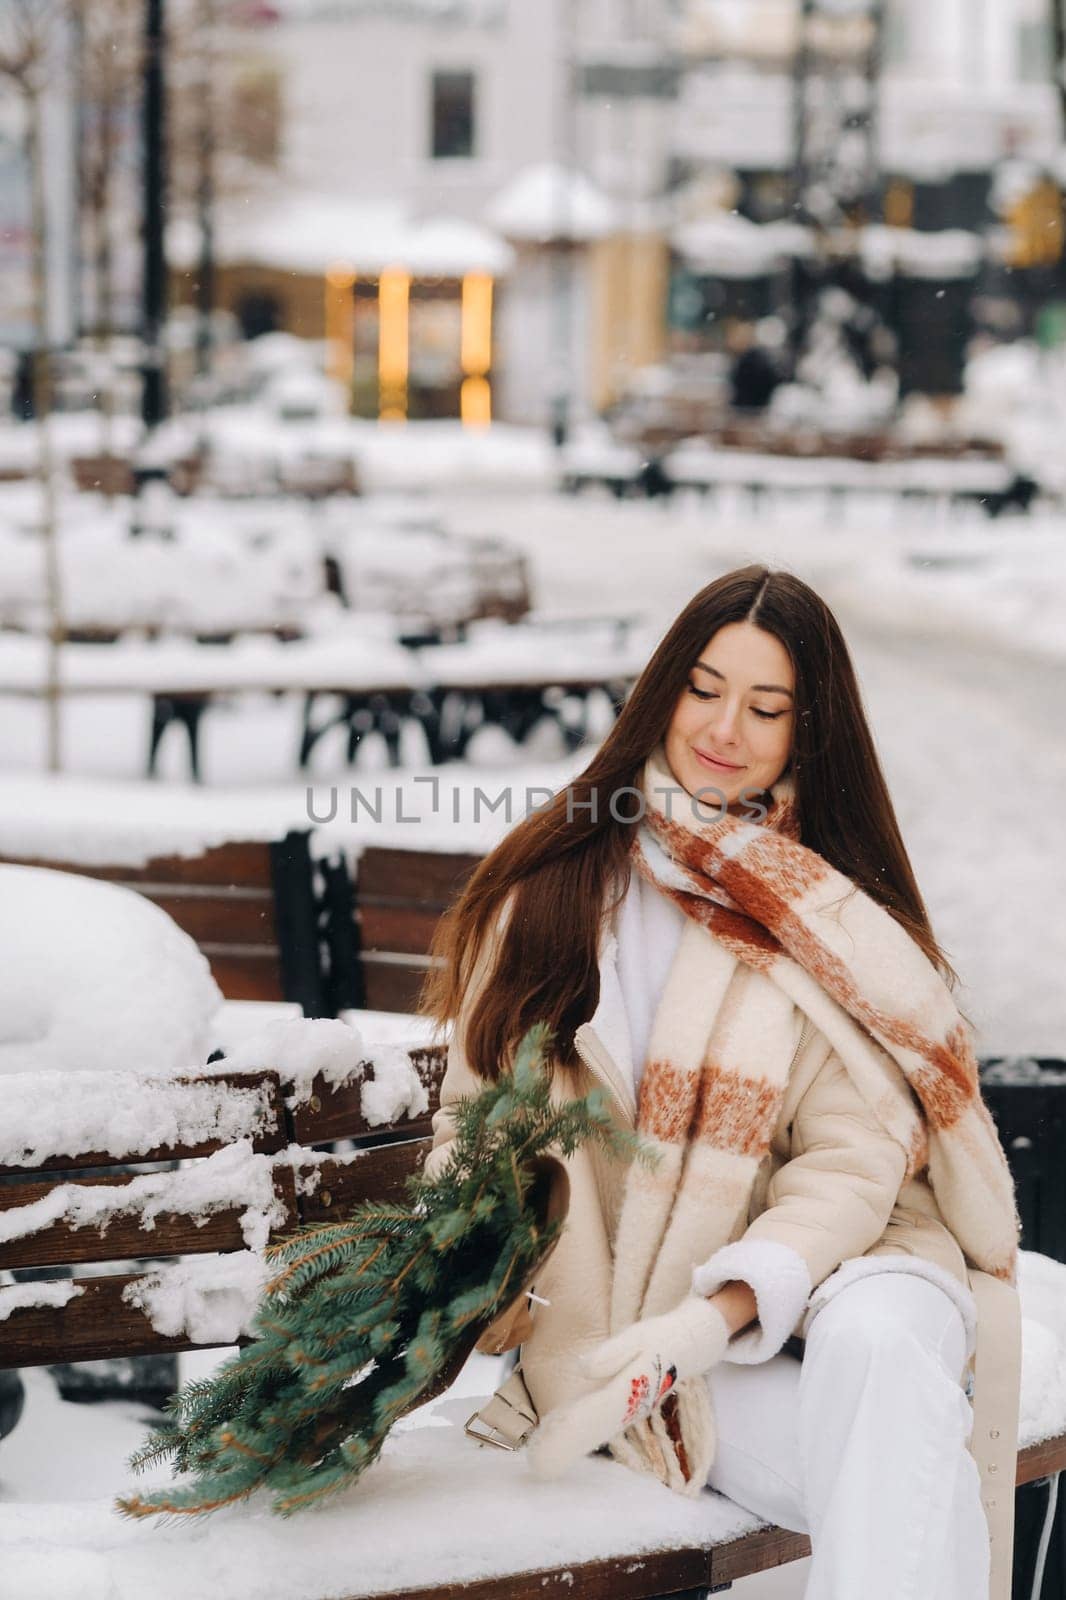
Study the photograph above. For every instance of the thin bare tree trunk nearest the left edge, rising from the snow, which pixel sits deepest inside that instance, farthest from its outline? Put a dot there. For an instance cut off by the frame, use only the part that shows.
(42, 410)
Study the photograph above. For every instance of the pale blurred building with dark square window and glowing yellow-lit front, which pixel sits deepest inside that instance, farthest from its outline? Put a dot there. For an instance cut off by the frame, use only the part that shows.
(463, 199)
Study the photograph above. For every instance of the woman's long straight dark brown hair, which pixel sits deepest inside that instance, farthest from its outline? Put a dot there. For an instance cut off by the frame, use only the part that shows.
(561, 865)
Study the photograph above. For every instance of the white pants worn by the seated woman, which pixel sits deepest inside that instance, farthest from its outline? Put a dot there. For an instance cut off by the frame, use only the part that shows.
(864, 1446)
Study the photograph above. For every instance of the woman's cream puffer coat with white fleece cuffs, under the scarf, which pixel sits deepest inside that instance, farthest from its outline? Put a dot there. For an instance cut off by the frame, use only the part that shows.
(828, 1206)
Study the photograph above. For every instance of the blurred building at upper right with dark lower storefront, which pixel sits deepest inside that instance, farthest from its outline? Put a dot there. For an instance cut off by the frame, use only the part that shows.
(920, 148)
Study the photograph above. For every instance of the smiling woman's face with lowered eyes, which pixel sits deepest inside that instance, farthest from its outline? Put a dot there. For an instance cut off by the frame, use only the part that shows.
(737, 708)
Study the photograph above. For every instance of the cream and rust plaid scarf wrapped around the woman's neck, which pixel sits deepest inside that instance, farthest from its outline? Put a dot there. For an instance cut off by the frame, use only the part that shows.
(774, 927)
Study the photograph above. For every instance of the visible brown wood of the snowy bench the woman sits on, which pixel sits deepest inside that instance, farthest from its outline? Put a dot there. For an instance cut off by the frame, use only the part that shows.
(100, 1319)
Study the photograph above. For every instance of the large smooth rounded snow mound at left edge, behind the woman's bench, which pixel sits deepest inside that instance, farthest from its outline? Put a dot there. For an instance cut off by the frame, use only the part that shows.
(97, 978)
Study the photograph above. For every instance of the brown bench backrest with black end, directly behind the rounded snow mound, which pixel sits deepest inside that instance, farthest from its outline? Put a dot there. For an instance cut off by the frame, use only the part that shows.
(257, 910)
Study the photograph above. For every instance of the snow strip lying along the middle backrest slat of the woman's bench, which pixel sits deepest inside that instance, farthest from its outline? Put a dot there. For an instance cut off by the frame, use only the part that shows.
(233, 1177)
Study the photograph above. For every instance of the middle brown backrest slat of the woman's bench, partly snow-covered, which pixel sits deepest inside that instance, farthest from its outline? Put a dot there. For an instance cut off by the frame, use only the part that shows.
(175, 1234)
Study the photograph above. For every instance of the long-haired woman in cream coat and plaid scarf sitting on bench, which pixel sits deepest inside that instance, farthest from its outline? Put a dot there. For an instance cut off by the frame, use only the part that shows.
(795, 1305)
